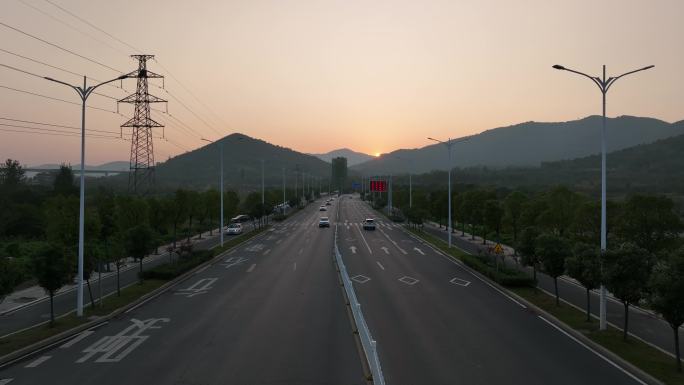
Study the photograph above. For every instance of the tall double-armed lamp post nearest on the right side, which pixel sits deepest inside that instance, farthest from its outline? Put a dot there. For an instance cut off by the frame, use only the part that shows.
(604, 85)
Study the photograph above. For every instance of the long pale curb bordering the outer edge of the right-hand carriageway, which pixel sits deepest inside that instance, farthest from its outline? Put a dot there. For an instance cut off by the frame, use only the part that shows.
(606, 353)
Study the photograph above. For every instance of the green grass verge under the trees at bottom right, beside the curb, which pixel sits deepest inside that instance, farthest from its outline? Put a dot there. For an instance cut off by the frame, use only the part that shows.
(639, 354)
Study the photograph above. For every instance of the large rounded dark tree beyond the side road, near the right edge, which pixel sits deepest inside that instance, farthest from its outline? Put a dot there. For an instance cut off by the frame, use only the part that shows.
(650, 222)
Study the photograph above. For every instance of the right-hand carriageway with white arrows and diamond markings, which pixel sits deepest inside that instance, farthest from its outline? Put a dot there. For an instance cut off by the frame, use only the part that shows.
(435, 323)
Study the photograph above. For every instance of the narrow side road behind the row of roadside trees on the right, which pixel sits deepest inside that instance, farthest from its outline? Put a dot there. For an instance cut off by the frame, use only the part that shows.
(642, 324)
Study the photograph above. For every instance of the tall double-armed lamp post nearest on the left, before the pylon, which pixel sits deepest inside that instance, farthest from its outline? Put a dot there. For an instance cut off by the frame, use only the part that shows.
(83, 92)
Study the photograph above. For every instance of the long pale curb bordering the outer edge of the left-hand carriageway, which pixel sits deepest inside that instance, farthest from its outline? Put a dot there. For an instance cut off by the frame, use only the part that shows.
(47, 343)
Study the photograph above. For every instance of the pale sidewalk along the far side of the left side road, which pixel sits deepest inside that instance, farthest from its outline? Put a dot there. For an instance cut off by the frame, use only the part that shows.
(33, 294)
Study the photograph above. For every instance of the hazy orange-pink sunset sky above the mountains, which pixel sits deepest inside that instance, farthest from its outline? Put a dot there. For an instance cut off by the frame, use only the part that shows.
(318, 75)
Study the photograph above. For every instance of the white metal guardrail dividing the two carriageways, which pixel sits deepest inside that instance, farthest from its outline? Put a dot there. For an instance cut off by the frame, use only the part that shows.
(367, 342)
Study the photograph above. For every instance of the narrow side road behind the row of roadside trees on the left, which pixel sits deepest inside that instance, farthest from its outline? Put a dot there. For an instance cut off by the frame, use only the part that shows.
(38, 312)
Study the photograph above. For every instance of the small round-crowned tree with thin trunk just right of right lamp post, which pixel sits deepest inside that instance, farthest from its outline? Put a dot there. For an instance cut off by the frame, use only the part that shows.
(626, 273)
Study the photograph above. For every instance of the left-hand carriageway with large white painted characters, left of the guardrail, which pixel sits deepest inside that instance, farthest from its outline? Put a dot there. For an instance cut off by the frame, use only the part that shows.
(269, 312)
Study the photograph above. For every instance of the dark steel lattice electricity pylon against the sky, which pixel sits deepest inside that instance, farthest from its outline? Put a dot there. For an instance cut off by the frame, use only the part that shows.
(141, 177)
